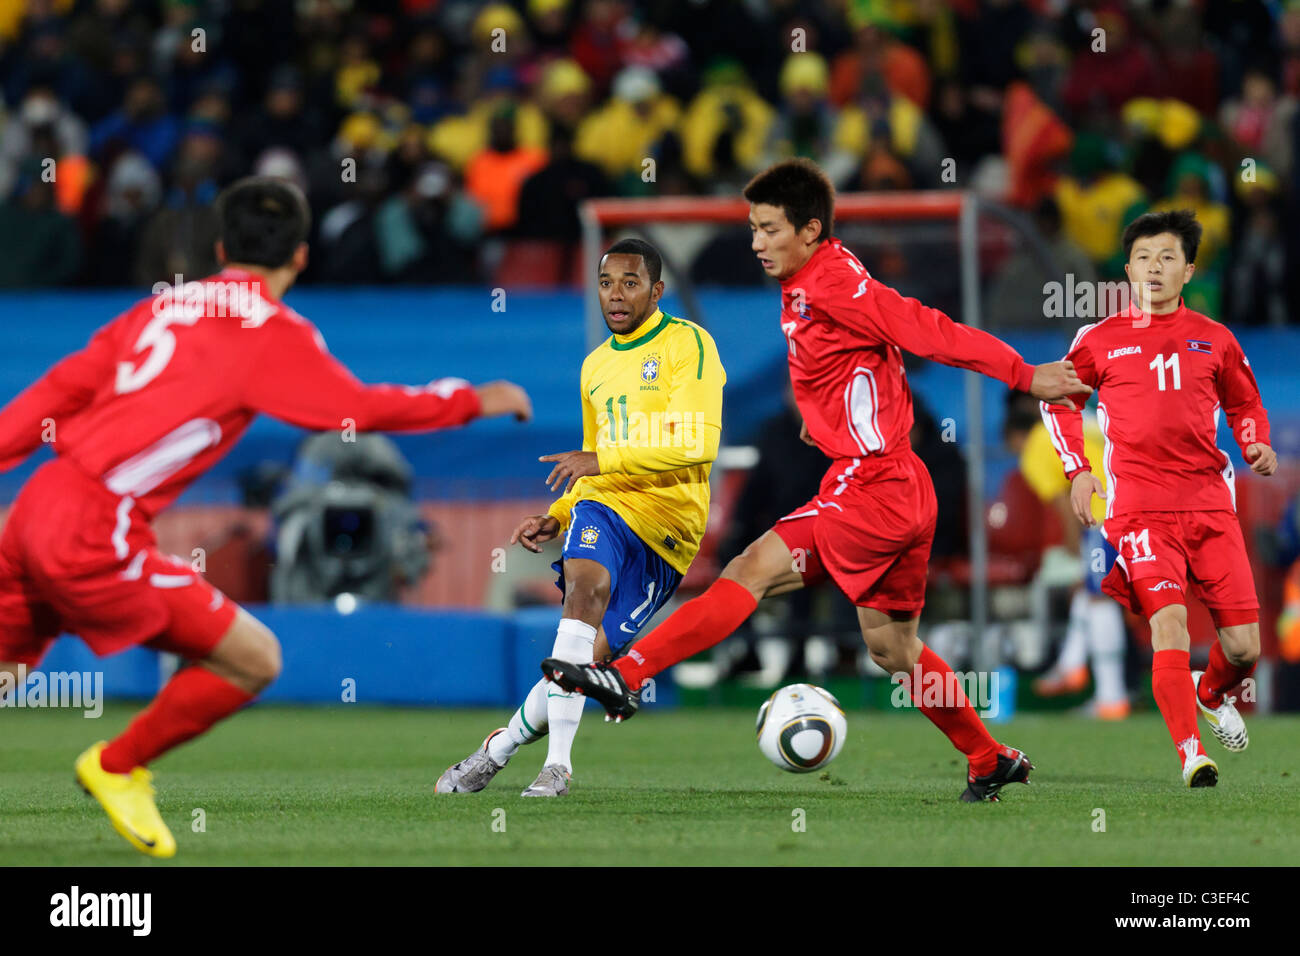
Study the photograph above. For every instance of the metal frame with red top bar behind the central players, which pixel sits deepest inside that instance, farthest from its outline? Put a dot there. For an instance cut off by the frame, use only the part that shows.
(954, 209)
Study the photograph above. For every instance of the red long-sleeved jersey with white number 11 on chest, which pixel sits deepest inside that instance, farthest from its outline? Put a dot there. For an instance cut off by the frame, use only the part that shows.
(1162, 382)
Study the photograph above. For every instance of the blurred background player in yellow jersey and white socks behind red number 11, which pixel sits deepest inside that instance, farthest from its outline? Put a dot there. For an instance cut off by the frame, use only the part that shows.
(1097, 630)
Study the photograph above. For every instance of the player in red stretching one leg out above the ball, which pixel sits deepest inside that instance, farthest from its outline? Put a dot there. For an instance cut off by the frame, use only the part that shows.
(872, 525)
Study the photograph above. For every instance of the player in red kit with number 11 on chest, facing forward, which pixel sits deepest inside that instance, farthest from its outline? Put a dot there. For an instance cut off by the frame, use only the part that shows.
(1163, 375)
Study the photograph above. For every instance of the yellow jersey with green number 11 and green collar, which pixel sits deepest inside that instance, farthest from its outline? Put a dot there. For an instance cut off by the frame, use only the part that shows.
(653, 413)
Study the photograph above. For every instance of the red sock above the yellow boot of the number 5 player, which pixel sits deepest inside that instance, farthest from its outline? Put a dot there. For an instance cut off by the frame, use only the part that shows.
(193, 700)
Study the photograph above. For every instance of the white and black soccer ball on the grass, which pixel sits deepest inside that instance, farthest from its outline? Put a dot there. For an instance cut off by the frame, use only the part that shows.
(801, 728)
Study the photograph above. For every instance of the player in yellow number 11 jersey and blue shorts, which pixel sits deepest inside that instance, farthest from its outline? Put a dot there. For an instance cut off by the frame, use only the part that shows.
(634, 508)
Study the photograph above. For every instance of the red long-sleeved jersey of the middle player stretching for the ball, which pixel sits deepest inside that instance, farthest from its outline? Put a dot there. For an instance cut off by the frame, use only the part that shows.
(846, 335)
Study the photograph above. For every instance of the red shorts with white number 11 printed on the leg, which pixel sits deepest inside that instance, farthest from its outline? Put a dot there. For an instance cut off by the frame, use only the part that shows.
(1164, 553)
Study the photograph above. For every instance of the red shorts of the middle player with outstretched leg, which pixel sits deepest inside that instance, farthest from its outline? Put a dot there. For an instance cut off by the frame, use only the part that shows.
(872, 535)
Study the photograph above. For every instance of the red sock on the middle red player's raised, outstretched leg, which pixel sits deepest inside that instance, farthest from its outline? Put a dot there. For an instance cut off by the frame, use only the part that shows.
(700, 624)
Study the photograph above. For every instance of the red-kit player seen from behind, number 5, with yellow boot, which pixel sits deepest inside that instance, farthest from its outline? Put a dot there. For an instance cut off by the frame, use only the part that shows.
(153, 403)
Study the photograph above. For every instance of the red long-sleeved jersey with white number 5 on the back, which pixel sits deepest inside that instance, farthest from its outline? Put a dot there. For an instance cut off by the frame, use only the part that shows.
(164, 391)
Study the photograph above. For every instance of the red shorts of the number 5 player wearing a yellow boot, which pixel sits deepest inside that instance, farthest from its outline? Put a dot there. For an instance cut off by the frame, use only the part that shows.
(76, 557)
